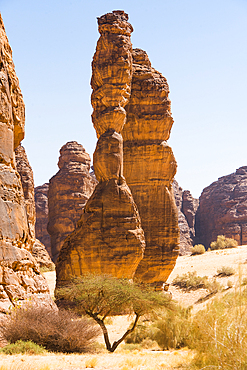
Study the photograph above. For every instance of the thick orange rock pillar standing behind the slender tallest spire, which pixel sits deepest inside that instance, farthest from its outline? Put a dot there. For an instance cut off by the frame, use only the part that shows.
(149, 168)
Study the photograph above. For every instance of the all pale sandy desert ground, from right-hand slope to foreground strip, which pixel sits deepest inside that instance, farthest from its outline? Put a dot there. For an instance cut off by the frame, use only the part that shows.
(205, 265)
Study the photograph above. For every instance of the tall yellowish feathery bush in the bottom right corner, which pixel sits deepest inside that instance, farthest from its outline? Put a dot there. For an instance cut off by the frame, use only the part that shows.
(219, 333)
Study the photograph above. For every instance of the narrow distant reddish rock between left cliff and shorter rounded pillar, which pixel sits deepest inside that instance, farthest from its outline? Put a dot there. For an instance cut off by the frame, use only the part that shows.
(41, 203)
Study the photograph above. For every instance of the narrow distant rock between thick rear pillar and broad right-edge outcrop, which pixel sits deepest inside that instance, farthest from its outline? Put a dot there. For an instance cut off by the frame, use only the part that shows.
(187, 204)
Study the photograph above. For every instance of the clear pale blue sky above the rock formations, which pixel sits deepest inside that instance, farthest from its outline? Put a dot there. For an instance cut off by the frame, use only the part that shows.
(198, 45)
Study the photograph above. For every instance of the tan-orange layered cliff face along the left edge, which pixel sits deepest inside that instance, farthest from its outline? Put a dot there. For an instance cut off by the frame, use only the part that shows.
(20, 278)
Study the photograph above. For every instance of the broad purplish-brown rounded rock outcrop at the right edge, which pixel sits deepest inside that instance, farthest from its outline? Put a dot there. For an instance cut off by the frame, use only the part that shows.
(223, 209)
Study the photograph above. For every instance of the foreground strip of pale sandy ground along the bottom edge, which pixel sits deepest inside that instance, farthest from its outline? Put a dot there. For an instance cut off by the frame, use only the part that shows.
(121, 360)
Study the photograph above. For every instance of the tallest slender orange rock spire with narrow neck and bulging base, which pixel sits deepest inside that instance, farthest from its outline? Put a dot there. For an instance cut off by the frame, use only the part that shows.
(108, 238)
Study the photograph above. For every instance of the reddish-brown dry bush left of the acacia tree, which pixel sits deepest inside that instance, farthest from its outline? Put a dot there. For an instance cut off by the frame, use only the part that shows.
(59, 331)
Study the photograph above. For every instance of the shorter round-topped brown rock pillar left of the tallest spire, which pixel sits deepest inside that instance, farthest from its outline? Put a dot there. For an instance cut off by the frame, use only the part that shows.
(68, 193)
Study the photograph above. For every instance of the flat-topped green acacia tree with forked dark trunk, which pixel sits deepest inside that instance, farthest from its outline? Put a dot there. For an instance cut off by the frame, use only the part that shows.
(100, 296)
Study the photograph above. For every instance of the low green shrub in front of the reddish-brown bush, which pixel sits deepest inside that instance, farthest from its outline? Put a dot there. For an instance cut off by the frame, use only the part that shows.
(20, 346)
